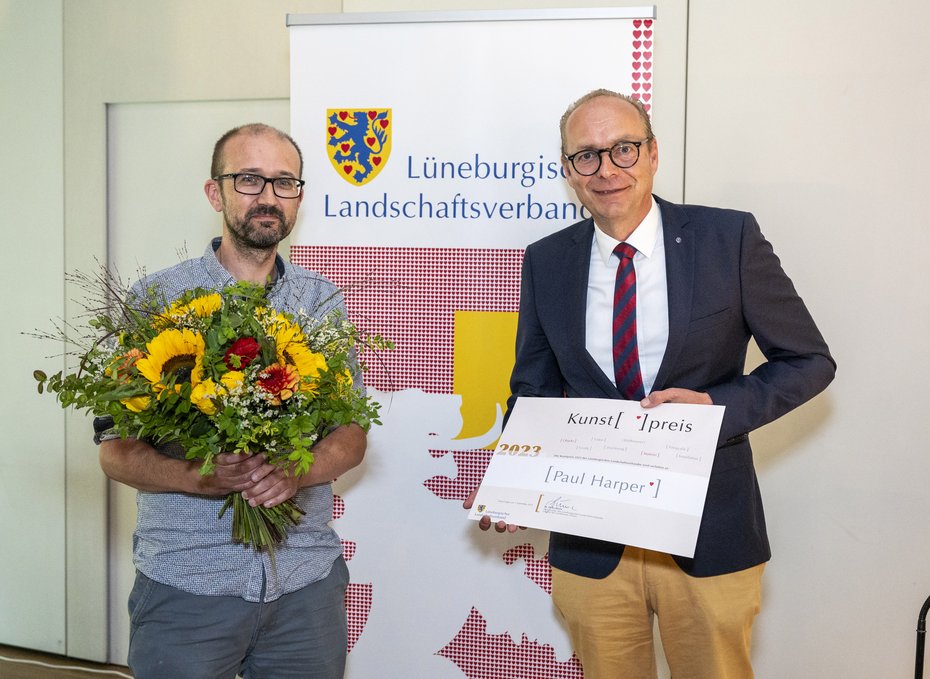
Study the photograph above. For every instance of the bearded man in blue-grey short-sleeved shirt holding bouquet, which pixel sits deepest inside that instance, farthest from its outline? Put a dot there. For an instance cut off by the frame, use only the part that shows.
(203, 607)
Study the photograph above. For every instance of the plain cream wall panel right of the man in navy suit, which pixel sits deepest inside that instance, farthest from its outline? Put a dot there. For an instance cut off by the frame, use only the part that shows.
(813, 116)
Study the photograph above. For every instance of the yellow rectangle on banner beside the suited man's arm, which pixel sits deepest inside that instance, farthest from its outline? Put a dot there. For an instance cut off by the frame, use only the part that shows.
(484, 355)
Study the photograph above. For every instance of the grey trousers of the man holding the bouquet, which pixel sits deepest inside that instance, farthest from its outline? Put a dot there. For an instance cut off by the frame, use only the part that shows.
(176, 635)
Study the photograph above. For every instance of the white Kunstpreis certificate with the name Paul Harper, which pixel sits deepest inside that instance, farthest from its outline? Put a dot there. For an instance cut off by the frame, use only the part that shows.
(604, 468)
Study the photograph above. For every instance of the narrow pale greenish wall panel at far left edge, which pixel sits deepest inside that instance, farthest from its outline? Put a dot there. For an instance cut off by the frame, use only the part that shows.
(32, 459)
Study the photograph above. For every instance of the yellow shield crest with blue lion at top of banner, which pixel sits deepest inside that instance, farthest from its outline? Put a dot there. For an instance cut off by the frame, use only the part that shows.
(358, 142)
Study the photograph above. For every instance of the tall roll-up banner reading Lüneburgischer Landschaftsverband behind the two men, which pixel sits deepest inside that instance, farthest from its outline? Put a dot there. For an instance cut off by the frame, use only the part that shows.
(432, 155)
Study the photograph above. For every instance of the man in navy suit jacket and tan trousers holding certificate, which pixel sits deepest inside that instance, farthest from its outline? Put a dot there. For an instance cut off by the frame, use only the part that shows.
(706, 281)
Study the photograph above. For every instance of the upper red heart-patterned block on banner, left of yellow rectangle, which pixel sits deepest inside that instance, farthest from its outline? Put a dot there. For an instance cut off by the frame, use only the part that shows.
(411, 295)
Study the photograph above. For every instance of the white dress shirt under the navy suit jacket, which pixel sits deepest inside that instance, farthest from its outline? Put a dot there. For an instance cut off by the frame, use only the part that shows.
(651, 297)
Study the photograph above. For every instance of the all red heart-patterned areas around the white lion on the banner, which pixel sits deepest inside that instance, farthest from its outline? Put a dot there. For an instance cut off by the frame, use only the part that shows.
(410, 295)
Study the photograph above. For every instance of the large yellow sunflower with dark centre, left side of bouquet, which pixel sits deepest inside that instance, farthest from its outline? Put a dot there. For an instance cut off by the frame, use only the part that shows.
(174, 356)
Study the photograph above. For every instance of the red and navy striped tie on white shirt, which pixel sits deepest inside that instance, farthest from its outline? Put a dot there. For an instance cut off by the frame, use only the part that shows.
(626, 356)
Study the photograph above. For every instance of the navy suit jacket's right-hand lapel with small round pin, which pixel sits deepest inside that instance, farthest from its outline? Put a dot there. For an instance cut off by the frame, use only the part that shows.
(679, 270)
